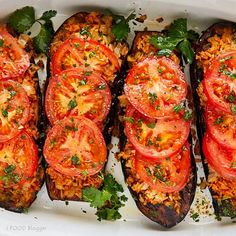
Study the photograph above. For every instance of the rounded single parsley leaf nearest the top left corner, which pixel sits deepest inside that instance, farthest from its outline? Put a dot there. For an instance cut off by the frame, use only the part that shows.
(22, 19)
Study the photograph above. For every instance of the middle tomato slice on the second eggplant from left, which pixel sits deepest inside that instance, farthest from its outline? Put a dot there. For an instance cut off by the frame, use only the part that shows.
(72, 93)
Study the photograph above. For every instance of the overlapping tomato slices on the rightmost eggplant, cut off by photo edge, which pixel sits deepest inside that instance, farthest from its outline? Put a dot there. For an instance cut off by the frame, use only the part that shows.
(219, 144)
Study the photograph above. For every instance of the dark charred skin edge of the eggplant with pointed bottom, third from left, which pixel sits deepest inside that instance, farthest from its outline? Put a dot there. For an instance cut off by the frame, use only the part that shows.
(159, 213)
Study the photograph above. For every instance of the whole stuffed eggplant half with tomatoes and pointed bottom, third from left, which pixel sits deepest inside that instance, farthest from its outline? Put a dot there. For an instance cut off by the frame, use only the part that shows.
(154, 132)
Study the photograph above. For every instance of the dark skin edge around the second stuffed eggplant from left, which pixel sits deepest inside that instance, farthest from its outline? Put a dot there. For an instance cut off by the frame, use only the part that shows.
(108, 123)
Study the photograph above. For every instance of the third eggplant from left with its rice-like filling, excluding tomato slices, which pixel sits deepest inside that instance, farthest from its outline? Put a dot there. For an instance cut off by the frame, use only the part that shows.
(170, 208)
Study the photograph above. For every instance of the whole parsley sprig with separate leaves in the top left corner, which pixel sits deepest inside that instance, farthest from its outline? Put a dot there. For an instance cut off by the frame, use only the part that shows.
(24, 18)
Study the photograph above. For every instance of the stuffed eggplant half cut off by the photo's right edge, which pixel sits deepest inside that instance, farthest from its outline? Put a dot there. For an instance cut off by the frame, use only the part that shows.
(213, 80)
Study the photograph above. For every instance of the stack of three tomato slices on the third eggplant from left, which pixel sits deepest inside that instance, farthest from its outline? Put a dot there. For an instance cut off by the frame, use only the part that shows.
(156, 124)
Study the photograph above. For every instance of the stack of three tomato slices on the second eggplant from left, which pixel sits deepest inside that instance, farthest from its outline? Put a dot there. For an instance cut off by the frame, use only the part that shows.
(78, 100)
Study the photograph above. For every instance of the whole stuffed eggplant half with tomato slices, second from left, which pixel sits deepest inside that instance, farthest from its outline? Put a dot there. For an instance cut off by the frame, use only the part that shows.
(84, 60)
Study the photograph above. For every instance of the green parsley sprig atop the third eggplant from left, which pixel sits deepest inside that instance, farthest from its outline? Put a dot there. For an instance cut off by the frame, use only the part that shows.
(178, 37)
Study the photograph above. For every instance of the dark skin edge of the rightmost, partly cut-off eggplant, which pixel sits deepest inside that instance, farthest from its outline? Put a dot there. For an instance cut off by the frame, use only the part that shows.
(196, 75)
